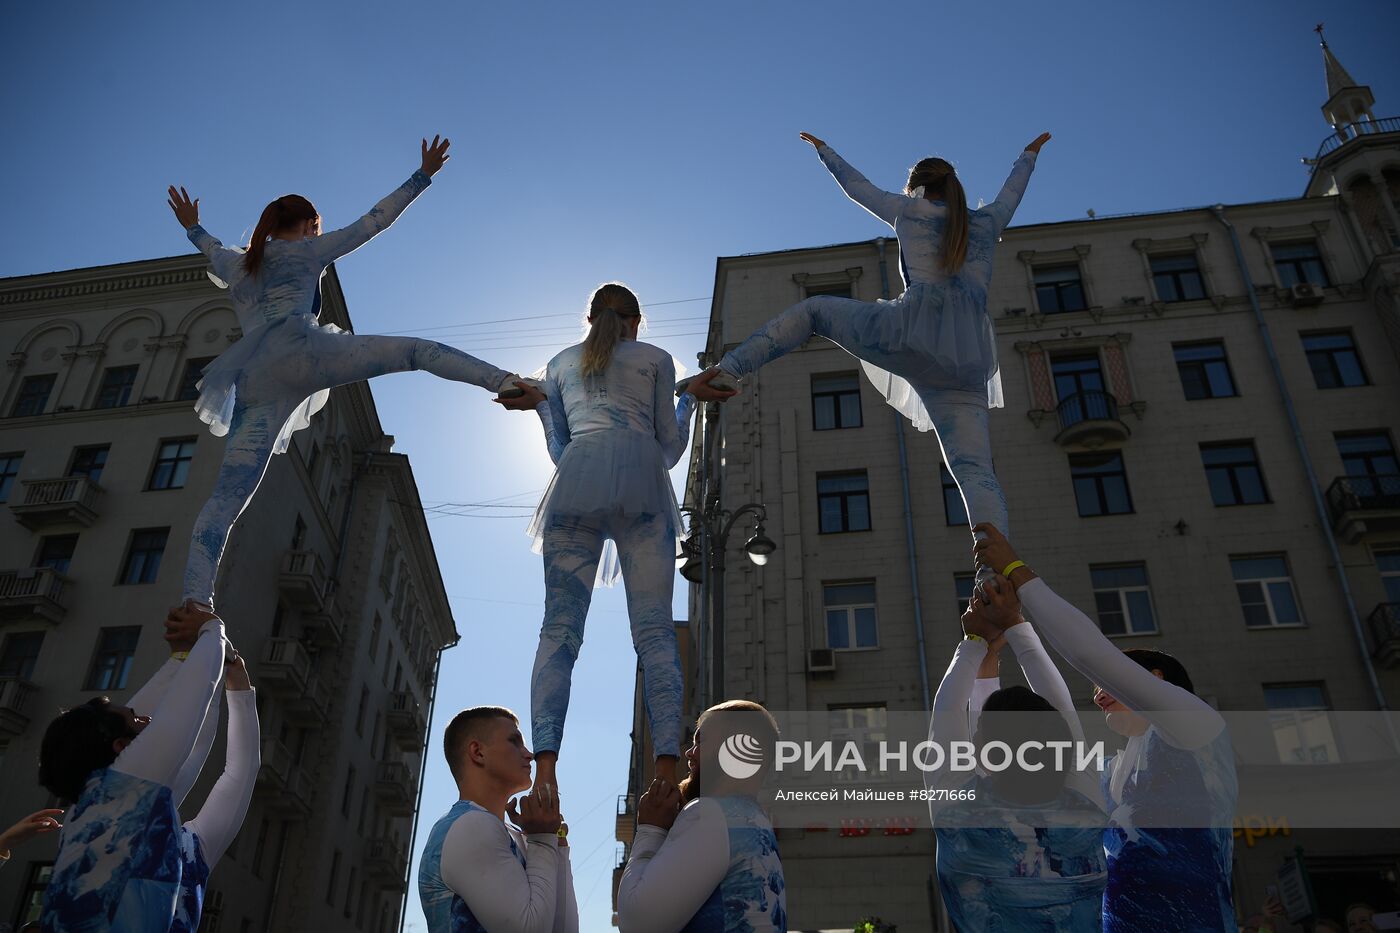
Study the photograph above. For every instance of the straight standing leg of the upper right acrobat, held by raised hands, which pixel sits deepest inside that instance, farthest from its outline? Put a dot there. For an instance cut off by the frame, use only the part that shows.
(962, 422)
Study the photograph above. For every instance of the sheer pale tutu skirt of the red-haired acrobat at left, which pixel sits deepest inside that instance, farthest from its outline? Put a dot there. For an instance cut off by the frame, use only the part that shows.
(272, 364)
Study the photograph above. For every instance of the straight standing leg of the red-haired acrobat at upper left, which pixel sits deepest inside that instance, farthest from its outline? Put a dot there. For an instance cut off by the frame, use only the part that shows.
(247, 452)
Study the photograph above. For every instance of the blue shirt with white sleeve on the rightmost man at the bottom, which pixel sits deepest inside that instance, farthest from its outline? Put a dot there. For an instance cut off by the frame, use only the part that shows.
(1171, 794)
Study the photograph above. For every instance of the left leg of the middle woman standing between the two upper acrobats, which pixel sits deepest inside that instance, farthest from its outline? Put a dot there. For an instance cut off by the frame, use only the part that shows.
(572, 551)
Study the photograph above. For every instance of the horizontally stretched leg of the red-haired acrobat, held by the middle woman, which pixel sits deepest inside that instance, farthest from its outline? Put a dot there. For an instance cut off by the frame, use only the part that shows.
(362, 358)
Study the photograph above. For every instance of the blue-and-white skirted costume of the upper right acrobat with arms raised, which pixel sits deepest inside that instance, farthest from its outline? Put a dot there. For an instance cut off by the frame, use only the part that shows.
(933, 351)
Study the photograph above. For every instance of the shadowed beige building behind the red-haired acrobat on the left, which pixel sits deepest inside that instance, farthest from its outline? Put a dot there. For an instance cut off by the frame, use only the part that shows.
(330, 589)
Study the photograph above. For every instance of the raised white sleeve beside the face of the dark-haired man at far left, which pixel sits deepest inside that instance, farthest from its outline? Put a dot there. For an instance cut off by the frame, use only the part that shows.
(166, 745)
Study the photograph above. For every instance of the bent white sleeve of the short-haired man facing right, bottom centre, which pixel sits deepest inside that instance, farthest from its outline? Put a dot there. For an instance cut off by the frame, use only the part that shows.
(478, 865)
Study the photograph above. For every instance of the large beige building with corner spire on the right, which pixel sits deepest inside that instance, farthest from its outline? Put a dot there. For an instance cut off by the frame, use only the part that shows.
(1199, 449)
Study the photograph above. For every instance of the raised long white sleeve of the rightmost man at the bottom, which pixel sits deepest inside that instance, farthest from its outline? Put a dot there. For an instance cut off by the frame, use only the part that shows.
(1184, 719)
